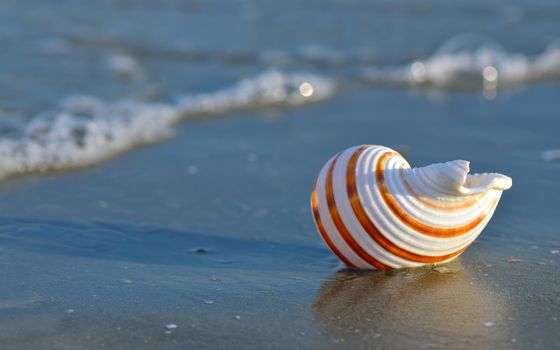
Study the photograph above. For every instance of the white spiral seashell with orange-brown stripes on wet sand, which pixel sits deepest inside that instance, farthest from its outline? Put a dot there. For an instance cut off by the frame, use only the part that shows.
(376, 212)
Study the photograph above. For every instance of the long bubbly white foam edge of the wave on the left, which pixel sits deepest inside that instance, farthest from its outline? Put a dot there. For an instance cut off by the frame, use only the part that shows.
(85, 130)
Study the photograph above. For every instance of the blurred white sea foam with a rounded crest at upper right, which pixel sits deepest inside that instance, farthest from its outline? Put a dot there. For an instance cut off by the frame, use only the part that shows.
(469, 62)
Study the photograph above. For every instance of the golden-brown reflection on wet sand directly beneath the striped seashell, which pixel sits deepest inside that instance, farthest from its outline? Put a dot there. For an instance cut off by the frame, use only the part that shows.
(419, 308)
